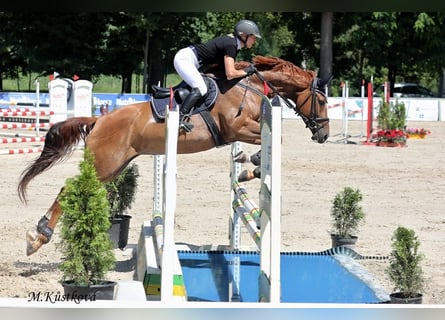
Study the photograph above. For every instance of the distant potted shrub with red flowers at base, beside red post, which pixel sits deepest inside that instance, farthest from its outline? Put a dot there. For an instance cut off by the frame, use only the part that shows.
(391, 122)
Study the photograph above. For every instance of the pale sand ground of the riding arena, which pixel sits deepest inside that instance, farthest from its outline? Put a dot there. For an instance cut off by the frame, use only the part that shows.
(400, 186)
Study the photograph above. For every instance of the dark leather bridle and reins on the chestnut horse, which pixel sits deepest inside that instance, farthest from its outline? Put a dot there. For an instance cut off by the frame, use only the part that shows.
(313, 121)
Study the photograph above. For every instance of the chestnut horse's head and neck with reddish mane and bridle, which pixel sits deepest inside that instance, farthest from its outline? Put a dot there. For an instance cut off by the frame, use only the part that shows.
(302, 88)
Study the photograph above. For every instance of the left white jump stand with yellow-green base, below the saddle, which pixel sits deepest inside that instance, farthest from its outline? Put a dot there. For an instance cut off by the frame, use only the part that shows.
(158, 265)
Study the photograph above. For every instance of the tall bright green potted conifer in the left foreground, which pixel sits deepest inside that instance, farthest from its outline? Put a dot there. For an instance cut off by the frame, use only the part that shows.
(87, 251)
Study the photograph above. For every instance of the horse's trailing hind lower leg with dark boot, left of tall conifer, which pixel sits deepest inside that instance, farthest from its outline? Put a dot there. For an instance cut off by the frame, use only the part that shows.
(45, 228)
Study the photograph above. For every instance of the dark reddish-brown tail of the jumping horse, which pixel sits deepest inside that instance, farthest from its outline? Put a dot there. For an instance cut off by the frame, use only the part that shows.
(60, 142)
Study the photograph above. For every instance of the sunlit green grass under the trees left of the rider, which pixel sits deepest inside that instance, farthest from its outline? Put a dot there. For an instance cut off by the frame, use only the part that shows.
(104, 84)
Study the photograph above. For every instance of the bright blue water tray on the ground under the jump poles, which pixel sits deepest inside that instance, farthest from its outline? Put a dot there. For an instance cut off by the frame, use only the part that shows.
(305, 278)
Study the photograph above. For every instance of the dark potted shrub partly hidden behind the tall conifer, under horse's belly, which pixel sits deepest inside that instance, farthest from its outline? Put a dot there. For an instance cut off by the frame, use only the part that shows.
(121, 194)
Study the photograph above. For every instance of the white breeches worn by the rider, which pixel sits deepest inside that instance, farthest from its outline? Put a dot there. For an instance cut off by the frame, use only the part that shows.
(186, 65)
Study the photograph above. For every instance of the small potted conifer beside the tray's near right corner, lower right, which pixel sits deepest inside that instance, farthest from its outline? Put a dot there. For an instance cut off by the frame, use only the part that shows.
(404, 269)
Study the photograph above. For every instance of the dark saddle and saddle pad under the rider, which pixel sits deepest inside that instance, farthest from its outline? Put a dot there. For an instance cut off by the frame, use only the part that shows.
(174, 96)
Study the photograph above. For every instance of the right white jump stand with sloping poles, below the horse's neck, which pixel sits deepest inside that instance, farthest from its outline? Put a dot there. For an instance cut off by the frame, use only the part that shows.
(267, 215)
